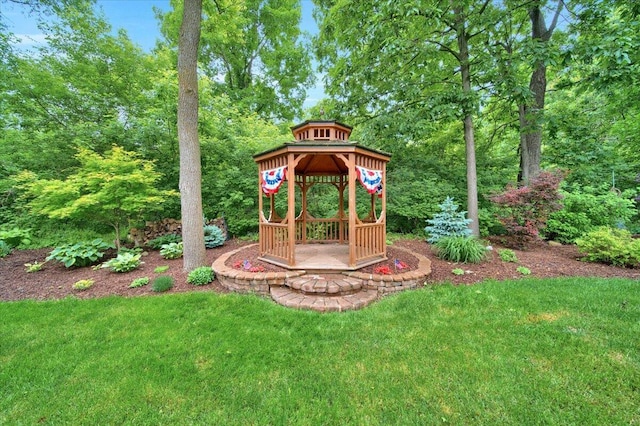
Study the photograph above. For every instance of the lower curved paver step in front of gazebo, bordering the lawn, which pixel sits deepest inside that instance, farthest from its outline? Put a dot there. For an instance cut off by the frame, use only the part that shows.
(320, 302)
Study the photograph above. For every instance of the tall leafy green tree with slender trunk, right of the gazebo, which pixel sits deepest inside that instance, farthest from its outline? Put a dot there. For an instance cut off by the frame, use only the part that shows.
(416, 56)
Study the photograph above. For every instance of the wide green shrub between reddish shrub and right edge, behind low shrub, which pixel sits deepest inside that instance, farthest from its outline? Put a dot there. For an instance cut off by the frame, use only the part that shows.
(587, 208)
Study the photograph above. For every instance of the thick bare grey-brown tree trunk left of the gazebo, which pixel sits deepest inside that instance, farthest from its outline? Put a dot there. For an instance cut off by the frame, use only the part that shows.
(190, 163)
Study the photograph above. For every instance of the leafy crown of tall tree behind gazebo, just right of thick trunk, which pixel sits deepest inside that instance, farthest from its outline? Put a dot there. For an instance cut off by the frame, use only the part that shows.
(255, 52)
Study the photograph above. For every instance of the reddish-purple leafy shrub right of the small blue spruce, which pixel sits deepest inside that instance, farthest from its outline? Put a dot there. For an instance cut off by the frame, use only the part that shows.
(524, 210)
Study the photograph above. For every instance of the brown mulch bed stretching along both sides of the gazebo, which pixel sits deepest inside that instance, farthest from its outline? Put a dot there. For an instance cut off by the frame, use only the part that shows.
(54, 281)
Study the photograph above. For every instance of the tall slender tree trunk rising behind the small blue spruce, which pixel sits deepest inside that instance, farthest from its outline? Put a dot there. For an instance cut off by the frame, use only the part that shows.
(470, 147)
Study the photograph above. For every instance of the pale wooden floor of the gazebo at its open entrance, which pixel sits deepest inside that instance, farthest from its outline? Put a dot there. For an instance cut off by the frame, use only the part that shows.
(326, 258)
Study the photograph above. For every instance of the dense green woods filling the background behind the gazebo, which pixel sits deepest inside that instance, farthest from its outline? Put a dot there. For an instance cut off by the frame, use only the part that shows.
(468, 97)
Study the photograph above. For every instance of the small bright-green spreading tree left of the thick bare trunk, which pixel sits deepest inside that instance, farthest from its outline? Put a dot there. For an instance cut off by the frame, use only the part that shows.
(113, 189)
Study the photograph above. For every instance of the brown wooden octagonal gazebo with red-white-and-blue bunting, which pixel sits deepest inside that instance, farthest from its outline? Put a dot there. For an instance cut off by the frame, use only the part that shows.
(322, 154)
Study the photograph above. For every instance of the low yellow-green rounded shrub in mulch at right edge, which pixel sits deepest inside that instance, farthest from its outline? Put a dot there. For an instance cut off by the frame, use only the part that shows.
(608, 245)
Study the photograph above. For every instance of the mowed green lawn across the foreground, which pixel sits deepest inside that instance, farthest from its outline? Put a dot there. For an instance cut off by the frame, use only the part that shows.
(561, 351)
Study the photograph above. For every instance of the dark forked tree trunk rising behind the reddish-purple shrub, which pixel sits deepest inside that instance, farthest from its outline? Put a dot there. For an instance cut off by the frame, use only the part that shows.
(530, 115)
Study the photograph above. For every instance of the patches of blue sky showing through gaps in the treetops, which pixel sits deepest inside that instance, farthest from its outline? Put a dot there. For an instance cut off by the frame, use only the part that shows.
(137, 18)
